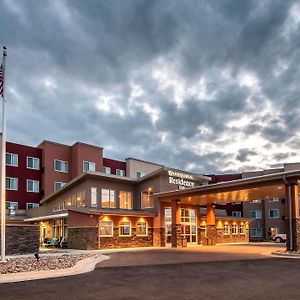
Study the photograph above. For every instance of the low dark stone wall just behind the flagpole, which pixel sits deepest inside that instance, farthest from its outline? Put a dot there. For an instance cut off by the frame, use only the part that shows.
(22, 239)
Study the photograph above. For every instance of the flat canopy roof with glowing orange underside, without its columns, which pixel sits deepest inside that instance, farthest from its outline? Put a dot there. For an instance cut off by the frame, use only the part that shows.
(247, 189)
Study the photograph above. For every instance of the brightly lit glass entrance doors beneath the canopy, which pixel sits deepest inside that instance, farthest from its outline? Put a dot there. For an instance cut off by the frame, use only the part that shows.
(189, 225)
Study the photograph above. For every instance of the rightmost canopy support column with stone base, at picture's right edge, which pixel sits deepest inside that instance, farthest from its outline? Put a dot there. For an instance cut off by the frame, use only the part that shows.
(292, 213)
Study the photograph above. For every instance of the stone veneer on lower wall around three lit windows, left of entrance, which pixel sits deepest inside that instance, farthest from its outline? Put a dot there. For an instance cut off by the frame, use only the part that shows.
(87, 238)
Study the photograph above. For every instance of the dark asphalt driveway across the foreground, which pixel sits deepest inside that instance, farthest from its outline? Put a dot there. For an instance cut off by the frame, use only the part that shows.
(240, 278)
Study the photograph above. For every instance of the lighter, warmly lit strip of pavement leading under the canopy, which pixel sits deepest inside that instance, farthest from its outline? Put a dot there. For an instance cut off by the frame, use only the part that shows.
(192, 254)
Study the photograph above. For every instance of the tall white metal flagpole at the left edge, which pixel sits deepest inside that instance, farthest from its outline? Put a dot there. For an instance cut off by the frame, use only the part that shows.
(3, 162)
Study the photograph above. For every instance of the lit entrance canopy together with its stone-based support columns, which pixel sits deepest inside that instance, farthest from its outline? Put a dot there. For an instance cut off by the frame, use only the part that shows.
(282, 185)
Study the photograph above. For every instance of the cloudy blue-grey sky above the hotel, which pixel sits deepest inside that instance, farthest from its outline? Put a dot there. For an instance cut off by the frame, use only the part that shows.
(206, 86)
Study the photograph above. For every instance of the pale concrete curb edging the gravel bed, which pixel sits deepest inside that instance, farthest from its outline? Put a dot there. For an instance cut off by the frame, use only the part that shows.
(83, 266)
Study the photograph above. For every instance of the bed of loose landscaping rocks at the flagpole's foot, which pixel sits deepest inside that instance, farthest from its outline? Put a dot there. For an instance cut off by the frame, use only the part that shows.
(28, 264)
